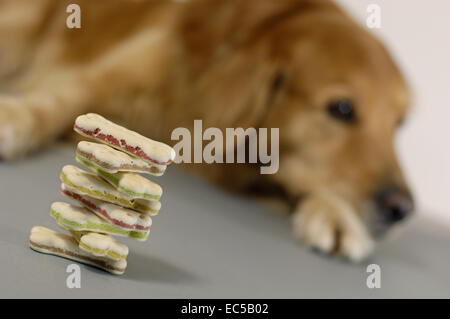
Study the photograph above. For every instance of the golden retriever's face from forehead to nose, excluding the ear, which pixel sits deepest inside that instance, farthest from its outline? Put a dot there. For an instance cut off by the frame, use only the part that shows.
(339, 99)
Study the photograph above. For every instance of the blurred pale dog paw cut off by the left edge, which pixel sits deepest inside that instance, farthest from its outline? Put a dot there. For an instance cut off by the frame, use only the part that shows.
(16, 129)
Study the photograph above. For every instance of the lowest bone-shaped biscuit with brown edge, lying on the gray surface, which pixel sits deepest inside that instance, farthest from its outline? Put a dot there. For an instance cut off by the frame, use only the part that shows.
(51, 242)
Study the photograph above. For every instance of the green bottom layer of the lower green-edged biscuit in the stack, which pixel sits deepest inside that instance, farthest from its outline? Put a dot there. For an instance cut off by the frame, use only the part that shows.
(98, 227)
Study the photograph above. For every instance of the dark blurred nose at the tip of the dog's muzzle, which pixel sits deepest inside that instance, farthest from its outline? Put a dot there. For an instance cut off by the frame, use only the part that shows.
(394, 204)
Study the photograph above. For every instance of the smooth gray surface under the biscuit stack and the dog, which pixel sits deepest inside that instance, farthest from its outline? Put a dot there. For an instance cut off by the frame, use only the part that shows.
(204, 243)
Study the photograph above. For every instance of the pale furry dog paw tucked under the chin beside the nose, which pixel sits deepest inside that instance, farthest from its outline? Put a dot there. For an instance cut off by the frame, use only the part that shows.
(329, 224)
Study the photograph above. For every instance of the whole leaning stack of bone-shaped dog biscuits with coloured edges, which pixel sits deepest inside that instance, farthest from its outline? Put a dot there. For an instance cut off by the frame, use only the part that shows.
(114, 199)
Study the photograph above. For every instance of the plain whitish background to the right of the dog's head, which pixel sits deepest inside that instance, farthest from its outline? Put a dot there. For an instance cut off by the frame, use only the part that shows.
(417, 32)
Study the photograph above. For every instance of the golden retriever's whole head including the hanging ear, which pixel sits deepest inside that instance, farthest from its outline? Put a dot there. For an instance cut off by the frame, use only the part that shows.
(332, 89)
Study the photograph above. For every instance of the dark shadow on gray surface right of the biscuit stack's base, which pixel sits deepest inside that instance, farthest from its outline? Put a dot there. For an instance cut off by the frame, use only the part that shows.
(154, 269)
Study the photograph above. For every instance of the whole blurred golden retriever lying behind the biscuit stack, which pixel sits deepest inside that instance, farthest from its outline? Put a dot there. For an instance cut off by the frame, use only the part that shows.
(302, 66)
